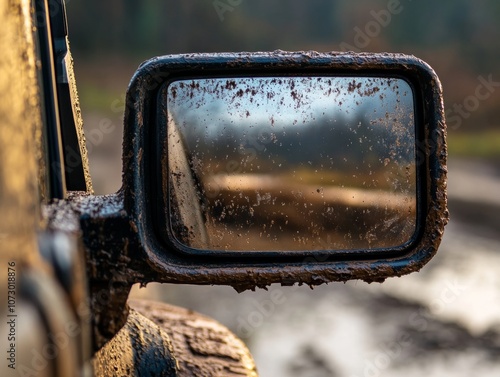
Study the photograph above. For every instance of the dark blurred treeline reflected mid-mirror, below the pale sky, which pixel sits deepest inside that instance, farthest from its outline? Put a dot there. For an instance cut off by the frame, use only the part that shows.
(357, 144)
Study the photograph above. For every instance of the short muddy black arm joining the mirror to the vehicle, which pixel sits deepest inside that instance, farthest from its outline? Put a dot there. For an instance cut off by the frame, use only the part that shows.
(113, 258)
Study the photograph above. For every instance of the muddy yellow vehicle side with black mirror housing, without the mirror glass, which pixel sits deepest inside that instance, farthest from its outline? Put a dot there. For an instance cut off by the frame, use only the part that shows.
(71, 257)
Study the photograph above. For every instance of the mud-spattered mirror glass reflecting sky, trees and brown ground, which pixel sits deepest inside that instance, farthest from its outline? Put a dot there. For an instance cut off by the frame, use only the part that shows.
(291, 163)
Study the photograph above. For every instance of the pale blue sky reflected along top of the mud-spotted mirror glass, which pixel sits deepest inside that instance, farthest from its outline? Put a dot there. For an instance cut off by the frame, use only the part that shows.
(292, 101)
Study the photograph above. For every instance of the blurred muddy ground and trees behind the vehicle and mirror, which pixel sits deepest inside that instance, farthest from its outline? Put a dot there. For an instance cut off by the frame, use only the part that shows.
(443, 321)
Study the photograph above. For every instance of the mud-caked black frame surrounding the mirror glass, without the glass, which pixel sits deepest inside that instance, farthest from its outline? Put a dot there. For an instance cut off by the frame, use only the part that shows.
(143, 190)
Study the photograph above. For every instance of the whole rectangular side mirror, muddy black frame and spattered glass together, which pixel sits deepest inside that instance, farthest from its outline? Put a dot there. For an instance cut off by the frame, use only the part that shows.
(251, 169)
